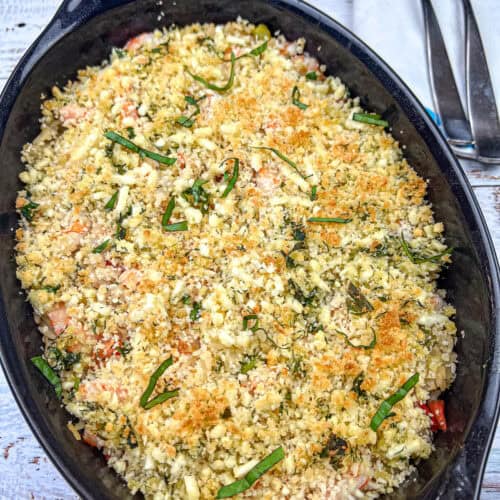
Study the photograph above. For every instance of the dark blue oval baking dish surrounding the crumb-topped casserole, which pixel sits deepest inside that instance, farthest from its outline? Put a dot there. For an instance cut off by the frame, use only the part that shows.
(82, 33)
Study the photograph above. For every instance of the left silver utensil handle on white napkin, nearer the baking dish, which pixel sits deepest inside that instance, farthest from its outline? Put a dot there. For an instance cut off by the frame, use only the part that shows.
(443, 86)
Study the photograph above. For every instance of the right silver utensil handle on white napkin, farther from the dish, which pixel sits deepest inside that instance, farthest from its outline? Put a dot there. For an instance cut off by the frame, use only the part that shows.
(480, 96)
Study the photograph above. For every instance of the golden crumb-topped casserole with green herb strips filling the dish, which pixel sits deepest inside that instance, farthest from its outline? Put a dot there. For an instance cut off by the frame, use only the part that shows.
(234, 270)
